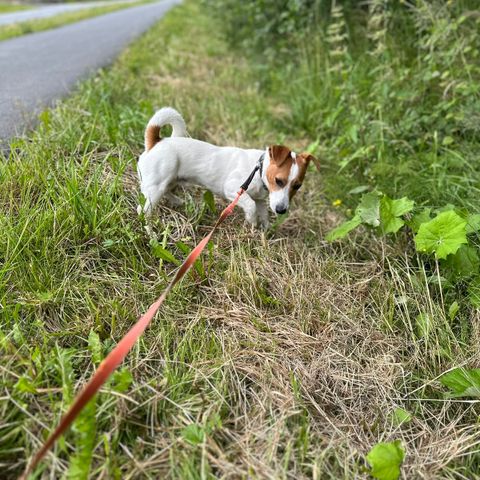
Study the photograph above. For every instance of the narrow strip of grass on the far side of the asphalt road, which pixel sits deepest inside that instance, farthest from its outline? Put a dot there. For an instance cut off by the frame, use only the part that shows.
(41, 24)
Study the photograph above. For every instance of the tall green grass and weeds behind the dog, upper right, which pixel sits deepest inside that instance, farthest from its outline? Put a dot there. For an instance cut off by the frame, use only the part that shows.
(389, 90)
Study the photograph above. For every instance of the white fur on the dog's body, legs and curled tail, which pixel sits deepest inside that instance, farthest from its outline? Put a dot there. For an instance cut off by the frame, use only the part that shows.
(220, 169)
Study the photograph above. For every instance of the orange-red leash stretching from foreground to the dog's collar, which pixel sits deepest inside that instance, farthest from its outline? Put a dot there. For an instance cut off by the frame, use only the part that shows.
(118, 354)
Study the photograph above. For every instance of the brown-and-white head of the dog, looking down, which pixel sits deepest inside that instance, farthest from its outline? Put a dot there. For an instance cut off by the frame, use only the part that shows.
(284, 175)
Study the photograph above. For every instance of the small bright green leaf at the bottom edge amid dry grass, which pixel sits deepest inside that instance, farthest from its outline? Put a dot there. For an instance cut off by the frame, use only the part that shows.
(385, 460)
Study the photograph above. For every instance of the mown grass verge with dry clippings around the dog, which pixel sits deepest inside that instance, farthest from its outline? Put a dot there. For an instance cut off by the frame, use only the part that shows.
(288, 360)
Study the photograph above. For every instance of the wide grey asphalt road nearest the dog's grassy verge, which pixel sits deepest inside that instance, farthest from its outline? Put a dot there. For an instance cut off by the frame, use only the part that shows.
(37, 69)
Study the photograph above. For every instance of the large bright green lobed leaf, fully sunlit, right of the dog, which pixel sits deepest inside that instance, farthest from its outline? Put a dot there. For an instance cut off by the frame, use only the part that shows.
(443, 235)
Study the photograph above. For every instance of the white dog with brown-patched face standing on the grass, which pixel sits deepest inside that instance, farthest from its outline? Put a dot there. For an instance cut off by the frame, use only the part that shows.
(169, 161)
